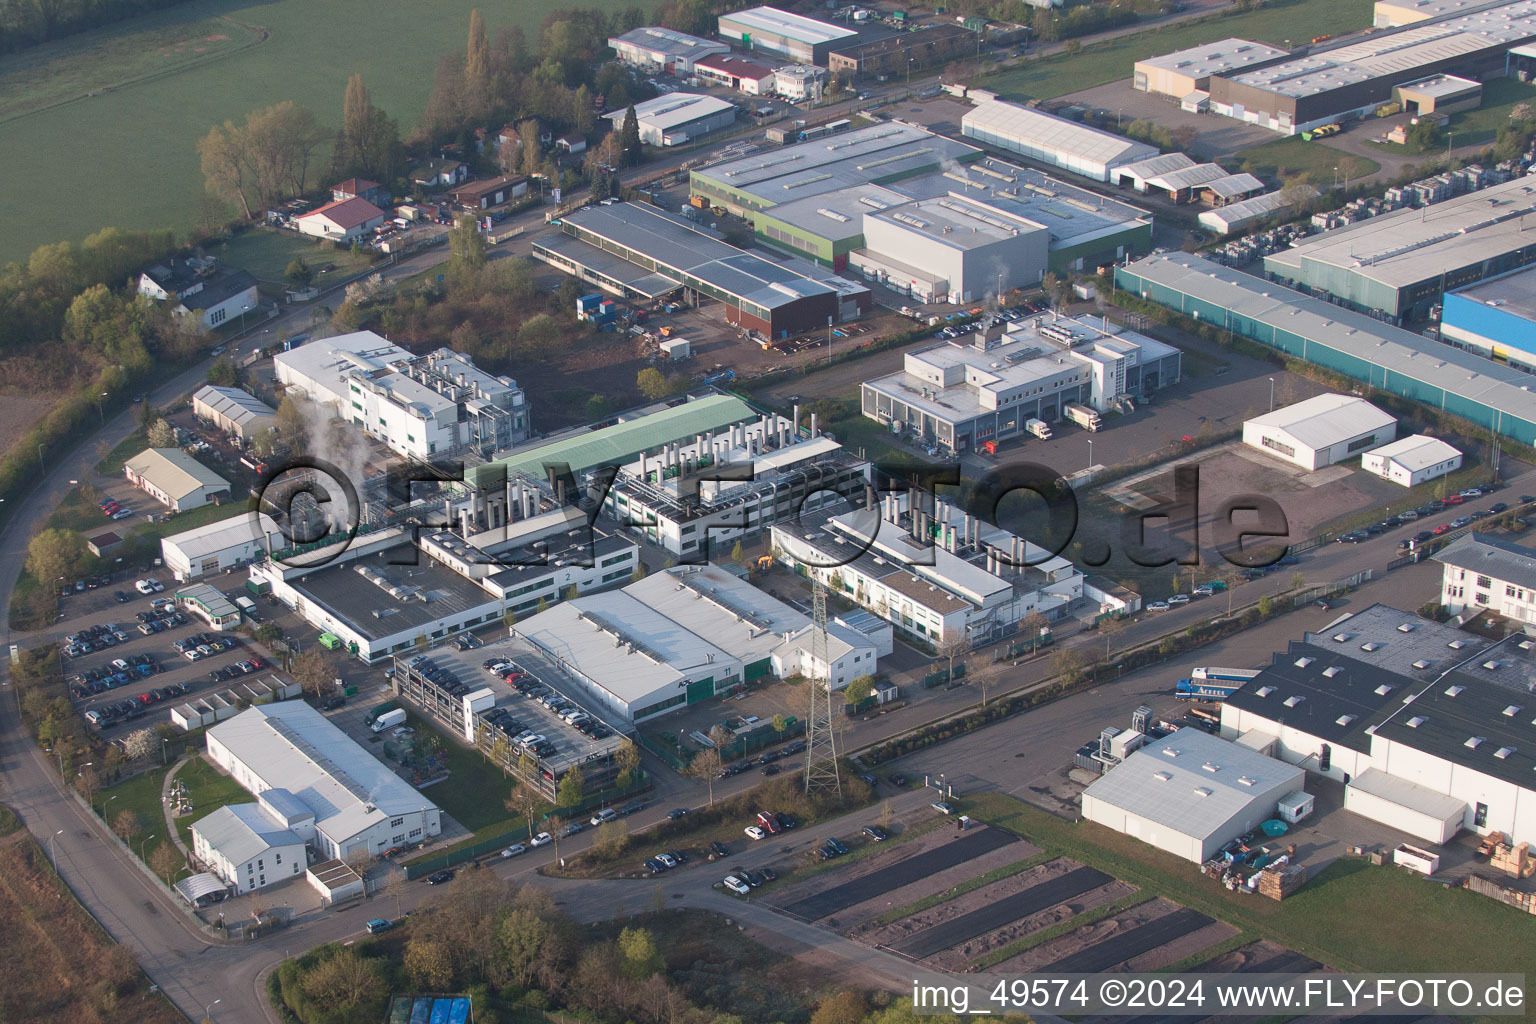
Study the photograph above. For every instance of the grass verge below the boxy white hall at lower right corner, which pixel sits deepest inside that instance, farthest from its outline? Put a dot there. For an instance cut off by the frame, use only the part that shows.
(1351, 916)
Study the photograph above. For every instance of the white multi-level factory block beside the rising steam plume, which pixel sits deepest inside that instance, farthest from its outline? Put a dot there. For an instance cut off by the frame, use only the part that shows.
(420, 406)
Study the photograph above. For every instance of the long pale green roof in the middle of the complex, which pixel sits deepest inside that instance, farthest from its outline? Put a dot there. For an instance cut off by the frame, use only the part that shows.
(623, 443)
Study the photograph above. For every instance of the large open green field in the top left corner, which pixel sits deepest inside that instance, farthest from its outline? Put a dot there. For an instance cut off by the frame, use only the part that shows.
(128, 156)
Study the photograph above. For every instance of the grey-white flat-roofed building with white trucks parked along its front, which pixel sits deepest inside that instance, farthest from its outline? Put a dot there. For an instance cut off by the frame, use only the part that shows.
(987, 386)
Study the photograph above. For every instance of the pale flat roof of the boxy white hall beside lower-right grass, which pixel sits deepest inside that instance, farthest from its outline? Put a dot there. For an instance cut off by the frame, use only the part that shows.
(1171, 782)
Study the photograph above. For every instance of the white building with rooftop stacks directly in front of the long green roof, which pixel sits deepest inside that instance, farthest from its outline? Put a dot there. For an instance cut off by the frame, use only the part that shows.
(687, 503)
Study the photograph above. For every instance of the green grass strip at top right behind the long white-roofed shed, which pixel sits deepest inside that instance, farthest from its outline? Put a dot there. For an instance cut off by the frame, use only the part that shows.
(1279, 21)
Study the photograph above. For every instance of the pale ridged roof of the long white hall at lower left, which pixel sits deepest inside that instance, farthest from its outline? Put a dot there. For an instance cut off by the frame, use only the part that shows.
(290, 745)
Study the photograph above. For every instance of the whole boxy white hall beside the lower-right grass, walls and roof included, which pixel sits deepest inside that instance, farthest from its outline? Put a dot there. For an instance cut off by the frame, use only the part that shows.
(1191, 793)
